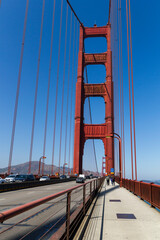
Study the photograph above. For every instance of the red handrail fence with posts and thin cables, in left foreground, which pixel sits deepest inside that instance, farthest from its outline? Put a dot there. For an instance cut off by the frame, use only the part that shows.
(72, 214)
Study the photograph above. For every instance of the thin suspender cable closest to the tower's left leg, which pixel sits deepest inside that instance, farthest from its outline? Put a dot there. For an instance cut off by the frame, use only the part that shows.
(69, 153)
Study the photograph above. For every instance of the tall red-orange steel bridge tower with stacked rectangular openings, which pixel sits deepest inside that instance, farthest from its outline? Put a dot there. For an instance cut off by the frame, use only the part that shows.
(83, 131)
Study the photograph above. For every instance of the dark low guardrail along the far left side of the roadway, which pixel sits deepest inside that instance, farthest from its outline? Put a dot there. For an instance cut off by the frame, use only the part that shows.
(5, 187)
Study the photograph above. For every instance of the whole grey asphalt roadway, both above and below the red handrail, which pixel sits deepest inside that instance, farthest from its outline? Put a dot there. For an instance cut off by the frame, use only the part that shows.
(52, 210)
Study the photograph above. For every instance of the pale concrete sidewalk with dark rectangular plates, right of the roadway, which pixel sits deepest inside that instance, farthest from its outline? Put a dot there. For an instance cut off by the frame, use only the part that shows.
(119, 214)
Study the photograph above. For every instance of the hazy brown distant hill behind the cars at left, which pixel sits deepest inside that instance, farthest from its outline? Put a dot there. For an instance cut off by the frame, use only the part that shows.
(23, 169)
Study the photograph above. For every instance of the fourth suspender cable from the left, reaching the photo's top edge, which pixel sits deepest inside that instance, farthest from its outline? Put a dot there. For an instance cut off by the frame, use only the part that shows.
(55, 113)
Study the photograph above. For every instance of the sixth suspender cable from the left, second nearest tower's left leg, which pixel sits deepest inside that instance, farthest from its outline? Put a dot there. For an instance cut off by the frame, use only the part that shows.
(69, 62)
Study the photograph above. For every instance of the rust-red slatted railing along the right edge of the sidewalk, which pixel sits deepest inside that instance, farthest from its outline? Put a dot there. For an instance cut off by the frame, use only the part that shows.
(149, 192)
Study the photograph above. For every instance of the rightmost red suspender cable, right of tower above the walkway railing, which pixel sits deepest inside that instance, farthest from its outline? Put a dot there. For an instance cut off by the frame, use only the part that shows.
(135, 158)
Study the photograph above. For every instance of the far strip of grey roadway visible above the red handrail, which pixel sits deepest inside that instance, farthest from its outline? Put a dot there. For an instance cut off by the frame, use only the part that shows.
(13, 199)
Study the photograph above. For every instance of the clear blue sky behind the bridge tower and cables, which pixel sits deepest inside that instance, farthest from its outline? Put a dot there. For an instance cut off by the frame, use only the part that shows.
(146, 52)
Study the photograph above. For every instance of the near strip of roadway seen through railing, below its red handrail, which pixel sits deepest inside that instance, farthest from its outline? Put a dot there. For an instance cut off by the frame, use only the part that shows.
(45, 215)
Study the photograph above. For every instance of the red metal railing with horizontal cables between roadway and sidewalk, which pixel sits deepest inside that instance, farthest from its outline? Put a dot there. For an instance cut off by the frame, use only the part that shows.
(76, 201)
